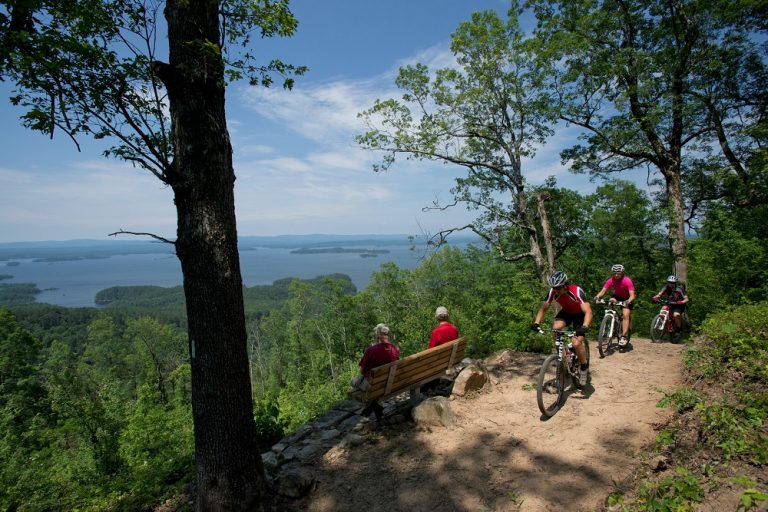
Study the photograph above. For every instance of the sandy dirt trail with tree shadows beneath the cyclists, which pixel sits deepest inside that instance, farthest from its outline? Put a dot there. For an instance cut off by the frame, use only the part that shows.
(502, 455)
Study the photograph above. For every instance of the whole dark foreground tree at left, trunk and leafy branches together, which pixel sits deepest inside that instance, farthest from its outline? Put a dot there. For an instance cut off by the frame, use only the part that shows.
(92, 68)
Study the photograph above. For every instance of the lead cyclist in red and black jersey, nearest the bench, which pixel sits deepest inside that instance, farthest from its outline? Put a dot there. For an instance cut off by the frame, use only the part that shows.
(574, 310)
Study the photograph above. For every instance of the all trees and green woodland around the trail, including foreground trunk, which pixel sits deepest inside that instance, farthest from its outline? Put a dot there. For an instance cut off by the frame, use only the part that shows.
(109, 409)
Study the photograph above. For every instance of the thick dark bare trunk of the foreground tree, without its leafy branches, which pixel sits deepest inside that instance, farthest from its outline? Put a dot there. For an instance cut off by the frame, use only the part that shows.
(229, 470)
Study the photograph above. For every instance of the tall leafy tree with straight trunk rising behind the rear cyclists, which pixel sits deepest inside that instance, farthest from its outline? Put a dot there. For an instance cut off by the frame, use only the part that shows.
(631, 74)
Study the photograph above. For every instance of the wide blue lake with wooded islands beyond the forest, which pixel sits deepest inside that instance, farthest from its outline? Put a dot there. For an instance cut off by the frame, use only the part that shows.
(74, 283)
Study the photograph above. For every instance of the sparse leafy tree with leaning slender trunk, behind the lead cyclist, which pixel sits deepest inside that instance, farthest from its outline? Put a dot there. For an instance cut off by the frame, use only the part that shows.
(486, 115)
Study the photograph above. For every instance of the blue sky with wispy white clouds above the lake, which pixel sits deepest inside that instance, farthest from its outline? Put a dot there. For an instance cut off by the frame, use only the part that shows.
(297, 165)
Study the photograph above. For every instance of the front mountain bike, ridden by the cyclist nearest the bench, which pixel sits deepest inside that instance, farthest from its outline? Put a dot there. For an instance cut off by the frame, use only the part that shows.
(556, 370)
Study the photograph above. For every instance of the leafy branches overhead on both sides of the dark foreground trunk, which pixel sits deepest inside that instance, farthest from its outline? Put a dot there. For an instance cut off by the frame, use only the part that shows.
(94, 68)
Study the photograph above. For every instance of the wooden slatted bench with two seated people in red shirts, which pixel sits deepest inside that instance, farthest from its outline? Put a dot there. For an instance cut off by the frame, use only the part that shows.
(411, 372)
